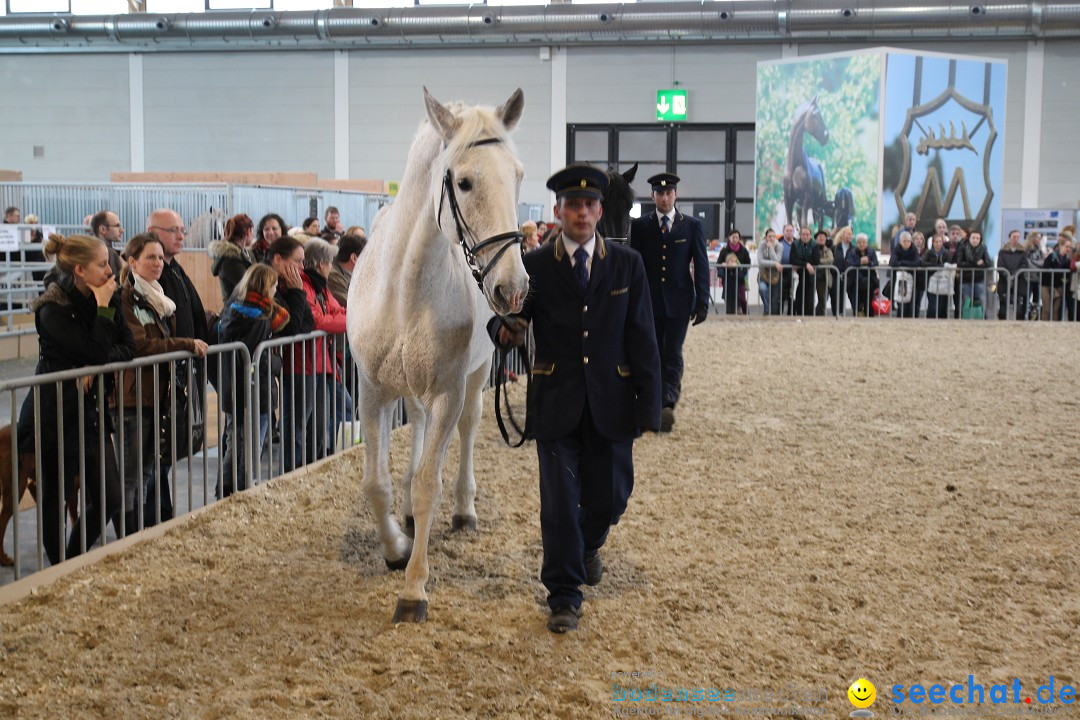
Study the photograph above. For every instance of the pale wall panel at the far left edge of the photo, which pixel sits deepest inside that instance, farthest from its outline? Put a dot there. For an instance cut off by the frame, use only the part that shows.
(75, 106)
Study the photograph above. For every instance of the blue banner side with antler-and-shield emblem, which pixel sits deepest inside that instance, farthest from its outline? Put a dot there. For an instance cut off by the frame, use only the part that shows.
(944, 143)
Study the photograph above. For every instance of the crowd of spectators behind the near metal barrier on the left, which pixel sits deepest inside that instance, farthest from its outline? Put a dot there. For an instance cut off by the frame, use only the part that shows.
(275, 282)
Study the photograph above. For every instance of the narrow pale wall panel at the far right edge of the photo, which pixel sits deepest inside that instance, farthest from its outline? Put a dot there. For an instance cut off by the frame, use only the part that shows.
(1060, 158)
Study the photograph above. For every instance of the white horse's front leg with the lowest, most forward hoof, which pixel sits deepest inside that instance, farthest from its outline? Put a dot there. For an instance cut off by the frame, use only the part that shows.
(427, 490)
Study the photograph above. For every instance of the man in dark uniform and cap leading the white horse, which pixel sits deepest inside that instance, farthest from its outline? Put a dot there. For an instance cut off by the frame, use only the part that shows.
(596, 386)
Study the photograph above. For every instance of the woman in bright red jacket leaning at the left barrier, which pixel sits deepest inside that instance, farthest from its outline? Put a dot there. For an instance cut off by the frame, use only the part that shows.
(316, 365)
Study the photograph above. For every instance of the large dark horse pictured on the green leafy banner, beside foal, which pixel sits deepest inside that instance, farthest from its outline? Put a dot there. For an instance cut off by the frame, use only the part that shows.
(804, 176)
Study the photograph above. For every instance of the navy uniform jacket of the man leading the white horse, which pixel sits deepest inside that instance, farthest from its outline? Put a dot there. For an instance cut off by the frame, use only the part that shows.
(601, 345)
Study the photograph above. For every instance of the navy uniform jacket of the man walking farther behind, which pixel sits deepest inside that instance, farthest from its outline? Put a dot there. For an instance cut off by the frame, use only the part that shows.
(674, 293)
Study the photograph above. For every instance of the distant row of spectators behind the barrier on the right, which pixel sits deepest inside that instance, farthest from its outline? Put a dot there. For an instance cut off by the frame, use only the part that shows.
(951, 276)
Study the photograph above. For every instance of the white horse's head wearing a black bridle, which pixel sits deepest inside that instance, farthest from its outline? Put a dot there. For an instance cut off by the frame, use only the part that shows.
(476, 185)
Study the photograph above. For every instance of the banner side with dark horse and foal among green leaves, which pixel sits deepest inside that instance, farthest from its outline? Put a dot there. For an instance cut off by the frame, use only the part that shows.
(818, 143)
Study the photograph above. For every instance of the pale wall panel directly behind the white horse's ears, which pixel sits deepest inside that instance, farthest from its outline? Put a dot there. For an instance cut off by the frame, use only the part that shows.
(386, 97)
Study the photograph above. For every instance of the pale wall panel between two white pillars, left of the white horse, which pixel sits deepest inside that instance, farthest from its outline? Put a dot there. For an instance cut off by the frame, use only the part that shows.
(268, 112)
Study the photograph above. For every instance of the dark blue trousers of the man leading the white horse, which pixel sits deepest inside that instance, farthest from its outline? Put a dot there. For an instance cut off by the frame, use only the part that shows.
(586, 481)
